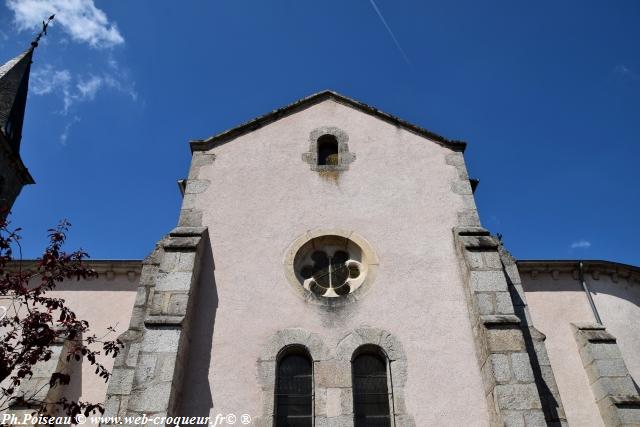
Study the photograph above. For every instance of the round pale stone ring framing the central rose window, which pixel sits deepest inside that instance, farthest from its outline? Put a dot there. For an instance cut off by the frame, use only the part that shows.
(369, 258)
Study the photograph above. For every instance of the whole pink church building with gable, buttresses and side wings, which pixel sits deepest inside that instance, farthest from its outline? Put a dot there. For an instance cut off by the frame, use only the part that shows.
(329, 268)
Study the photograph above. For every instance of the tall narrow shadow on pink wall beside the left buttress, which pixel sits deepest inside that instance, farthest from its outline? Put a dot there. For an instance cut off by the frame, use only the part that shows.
(196, 393)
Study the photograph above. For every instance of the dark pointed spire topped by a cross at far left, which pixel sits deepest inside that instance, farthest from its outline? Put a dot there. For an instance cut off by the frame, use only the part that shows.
(14, 85)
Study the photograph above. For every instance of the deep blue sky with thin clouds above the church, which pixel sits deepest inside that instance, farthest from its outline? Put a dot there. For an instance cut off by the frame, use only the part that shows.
(546, 94)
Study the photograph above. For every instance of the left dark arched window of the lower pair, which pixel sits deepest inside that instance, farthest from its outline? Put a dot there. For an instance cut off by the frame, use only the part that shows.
(294, 388)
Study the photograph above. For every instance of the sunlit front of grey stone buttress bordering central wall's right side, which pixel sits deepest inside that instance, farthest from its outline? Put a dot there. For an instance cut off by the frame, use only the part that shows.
(510, 389)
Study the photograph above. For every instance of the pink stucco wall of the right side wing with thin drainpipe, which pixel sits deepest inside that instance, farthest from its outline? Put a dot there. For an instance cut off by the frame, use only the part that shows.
(556, 302)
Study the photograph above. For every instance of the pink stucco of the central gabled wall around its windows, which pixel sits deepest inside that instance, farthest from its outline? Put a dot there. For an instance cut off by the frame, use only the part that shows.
(397, 195)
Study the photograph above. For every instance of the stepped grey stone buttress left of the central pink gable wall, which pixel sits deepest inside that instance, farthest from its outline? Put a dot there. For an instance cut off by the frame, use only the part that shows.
(148, 375)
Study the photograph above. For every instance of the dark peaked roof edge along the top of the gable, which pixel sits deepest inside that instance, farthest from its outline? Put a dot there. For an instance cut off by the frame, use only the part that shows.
(258, 122)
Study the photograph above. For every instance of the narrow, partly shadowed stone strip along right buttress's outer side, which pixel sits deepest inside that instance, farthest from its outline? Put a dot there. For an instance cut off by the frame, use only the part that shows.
(534, 340)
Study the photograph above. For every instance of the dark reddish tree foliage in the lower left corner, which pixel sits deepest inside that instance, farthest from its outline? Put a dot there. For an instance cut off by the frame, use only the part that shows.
(33, 321)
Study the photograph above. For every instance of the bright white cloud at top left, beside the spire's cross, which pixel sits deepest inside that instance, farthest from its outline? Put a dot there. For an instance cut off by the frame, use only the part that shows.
(81, 19)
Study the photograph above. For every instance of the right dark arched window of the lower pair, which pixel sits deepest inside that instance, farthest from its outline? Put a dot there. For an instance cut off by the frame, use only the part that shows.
(371, 384)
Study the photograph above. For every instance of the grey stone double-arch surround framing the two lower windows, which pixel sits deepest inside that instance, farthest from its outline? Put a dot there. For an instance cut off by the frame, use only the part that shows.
(333, 394)
